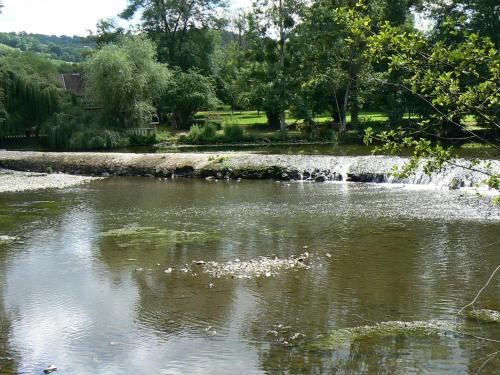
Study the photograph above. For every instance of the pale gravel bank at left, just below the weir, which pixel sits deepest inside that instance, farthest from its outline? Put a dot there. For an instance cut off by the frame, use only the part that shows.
(15, 181)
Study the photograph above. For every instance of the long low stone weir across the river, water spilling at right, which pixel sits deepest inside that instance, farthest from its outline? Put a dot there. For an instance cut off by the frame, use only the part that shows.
(235, 165)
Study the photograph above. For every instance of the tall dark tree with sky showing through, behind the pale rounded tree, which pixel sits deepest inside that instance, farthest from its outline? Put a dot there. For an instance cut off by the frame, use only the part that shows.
(180, 28)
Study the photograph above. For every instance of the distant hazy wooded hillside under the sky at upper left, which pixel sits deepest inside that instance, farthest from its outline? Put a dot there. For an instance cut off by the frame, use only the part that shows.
(65, 48)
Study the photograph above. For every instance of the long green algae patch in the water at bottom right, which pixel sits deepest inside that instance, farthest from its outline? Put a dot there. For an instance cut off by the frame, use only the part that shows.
(343, 337)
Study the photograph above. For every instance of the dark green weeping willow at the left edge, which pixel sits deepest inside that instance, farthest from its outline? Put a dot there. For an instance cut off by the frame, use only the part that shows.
(25, 103)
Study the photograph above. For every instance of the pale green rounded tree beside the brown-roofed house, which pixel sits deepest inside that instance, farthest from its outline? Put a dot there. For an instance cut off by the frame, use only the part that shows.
(126, 80)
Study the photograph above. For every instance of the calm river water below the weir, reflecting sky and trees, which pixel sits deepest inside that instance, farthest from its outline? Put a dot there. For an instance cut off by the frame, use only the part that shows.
(83, 282)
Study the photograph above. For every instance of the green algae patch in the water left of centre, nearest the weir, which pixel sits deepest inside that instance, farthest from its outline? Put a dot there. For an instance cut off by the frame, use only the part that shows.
(136, 236)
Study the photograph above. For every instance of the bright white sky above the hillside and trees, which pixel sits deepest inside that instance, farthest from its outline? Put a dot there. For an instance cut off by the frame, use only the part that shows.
(64, 17)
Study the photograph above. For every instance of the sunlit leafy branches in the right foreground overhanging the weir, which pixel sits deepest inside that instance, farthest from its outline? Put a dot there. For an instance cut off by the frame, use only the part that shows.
(453, 78)
